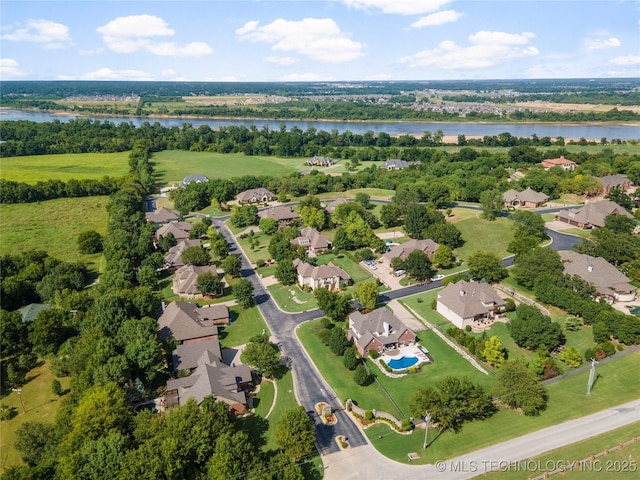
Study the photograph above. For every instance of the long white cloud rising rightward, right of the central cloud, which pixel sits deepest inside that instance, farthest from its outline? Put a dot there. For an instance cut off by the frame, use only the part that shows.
(486, 50)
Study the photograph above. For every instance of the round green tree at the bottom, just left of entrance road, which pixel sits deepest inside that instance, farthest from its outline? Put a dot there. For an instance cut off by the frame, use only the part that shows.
(295, 433)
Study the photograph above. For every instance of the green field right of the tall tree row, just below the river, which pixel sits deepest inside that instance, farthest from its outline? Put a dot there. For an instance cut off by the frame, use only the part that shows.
(174, 165)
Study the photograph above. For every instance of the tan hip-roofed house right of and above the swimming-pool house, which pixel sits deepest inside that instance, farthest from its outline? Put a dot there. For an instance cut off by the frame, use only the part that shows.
(468, 299)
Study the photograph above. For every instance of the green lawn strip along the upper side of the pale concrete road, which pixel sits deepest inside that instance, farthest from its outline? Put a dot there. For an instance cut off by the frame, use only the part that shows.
(567, 400)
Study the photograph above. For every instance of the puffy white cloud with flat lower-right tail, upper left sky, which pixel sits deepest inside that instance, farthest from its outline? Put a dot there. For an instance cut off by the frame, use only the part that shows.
(136, 32)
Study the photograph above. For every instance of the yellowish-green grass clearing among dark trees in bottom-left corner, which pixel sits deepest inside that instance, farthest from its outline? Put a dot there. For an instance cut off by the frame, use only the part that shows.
(40, 404)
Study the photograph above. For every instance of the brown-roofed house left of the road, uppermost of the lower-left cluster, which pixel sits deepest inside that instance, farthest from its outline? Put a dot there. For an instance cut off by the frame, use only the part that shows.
(190, 323)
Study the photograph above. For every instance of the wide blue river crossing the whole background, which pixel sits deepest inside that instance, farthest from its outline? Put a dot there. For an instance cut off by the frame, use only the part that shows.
(588, 131)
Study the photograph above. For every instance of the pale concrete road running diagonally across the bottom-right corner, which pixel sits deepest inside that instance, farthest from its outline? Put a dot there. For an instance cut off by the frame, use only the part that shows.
(366, 462)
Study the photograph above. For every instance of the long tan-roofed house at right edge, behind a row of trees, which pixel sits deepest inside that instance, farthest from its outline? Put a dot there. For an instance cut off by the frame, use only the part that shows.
(609, 282)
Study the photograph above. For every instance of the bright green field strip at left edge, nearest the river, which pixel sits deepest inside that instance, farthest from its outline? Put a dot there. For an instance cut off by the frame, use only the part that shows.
(34, 168)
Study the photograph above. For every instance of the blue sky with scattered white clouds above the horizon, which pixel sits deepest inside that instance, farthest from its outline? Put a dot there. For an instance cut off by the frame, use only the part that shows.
(331, 40)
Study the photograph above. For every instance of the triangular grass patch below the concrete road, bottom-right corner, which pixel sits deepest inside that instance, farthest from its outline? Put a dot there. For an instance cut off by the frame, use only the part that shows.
(581, 451)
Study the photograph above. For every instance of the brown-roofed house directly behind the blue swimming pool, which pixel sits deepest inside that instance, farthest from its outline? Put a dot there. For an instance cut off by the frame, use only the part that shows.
(378, 330)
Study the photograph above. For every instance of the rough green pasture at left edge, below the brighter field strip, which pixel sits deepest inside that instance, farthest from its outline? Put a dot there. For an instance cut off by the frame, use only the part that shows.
(52, 226)
